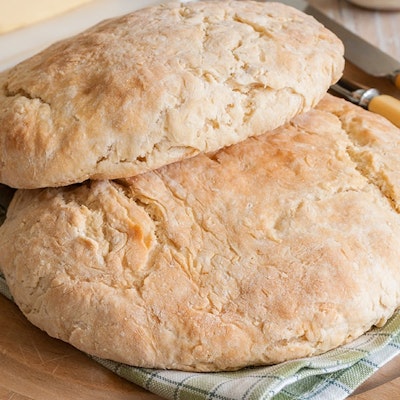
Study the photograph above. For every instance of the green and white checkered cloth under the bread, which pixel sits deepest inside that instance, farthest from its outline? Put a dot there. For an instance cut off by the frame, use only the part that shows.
(333, 375)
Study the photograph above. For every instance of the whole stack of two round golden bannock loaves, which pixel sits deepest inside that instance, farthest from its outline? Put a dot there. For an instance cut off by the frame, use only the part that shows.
(190, 197)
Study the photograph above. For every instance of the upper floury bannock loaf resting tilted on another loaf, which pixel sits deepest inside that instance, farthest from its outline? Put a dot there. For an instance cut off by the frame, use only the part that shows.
(159, 85)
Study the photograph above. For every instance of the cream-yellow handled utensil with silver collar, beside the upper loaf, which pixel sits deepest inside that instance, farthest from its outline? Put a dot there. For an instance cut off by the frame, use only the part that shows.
(370, 99)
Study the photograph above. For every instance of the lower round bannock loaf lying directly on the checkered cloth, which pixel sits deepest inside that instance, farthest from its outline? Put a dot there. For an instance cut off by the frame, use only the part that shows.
(282, 246)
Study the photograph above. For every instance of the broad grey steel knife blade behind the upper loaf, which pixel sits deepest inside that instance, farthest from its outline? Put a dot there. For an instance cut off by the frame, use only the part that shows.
(359, 52)
